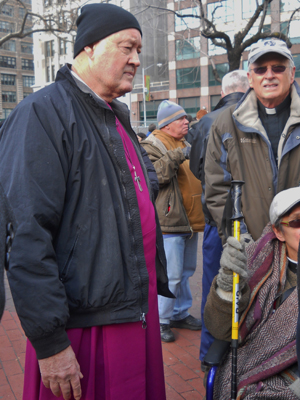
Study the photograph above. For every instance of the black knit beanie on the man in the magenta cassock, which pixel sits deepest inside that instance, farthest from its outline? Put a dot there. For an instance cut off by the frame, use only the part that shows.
(99, 20)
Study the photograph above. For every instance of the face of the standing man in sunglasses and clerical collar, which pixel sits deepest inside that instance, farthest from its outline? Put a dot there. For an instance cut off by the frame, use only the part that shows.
(271, 88)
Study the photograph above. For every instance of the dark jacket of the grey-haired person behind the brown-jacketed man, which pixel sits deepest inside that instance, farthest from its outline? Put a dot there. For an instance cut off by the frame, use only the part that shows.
(199, 145)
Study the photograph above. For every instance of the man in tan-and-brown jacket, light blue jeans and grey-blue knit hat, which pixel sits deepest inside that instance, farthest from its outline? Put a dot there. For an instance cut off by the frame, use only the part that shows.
(180, 214)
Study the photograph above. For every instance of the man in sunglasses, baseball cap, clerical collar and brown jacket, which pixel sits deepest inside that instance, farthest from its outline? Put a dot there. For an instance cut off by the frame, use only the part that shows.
(257, 140)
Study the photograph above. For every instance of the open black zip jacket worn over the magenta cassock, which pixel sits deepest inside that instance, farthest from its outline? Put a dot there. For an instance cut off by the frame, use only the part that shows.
(77, 259)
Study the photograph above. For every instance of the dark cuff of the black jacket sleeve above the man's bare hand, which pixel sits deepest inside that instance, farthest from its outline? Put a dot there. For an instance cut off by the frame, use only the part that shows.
(47, 346)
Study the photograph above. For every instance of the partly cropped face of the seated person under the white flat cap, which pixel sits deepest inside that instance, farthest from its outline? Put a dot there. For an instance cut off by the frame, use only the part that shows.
(290, 236)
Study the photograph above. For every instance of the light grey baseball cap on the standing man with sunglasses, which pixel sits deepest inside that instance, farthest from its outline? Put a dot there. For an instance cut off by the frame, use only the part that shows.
(268, 46)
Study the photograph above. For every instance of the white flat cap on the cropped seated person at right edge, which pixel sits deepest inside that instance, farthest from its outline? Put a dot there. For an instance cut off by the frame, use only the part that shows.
(283, 202)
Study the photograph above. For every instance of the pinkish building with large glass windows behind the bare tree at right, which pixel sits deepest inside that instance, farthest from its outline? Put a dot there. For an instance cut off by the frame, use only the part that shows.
(191, 81)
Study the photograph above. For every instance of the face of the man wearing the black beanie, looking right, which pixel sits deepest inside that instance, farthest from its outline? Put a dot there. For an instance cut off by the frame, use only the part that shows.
(113, 62)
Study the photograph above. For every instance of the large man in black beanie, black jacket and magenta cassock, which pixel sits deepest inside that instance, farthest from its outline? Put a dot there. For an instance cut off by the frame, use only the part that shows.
(87, 260)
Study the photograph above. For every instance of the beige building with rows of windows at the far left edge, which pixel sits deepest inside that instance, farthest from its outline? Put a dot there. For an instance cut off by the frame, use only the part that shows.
(16, 59)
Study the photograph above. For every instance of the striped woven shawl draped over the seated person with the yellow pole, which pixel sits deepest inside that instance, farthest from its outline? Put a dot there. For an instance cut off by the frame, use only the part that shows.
(268, 345)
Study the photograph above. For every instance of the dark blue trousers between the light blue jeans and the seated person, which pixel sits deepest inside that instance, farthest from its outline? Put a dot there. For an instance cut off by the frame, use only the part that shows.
(211, 250)
